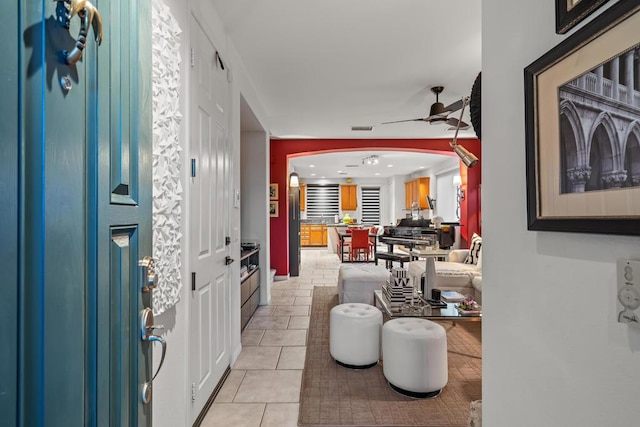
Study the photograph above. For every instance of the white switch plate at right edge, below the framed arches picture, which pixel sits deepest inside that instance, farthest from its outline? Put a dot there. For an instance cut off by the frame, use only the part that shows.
(628, 278)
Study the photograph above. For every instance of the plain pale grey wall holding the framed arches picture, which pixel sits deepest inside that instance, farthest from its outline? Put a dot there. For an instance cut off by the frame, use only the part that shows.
(553, 352)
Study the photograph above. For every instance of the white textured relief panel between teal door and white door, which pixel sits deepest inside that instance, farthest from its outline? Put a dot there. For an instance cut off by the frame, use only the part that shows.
(167, 157)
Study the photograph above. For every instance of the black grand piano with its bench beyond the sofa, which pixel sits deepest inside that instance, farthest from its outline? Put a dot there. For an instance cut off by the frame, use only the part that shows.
(413, 233)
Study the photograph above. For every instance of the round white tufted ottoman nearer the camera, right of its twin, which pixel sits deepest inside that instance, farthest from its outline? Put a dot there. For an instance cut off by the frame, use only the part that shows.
(415, 356)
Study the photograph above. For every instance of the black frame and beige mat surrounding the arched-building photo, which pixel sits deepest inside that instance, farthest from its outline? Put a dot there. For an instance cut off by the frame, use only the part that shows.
(609, 31)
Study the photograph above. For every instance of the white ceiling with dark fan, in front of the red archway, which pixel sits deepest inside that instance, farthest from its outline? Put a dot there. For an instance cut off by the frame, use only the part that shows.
(320, 67)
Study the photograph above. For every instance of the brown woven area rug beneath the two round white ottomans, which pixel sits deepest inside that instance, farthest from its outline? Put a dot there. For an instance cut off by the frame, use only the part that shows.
(332, 395)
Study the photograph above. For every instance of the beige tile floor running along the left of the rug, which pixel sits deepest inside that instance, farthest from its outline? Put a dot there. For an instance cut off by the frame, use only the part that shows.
(263, 388)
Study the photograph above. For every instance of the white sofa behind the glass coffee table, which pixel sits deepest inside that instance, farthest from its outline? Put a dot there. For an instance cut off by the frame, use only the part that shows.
(453, 275)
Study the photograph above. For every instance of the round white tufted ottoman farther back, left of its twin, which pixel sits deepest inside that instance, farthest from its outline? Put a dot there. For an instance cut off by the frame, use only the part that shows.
(354, 335)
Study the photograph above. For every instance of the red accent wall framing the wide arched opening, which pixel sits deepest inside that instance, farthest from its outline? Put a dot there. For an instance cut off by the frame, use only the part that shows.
(284, 149)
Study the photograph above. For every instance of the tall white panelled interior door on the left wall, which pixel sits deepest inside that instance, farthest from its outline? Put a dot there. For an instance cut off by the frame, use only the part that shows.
(209, 218)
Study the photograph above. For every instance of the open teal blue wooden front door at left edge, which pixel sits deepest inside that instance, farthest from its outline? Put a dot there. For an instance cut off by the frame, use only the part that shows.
(77, 163)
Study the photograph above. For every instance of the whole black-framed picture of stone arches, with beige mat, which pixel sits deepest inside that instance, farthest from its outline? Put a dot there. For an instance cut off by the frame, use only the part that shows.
(582, 117)
